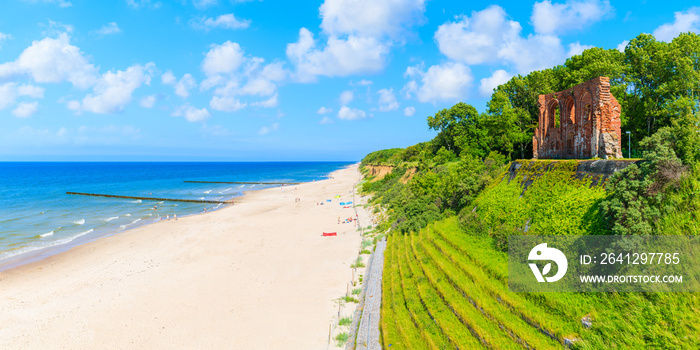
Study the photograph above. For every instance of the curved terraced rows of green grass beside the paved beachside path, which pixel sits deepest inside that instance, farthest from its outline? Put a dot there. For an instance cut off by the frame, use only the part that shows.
(436, 297)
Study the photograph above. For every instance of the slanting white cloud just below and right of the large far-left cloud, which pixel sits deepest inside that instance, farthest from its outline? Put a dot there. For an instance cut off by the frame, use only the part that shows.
(113, 90)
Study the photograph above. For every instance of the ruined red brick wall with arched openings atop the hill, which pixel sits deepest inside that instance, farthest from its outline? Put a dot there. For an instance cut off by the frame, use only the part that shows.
(588, 124)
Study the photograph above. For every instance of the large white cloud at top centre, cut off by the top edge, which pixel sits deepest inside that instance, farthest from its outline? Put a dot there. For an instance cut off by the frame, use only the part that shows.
(359, 35)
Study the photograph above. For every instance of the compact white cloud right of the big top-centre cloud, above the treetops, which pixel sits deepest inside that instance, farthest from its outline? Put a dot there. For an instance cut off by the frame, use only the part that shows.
(444, 82)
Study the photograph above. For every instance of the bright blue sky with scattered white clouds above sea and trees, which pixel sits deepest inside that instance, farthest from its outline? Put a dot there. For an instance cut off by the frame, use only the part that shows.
(276, 80)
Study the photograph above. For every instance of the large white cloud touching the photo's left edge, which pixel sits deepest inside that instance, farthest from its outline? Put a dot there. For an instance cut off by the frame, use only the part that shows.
(52, 60)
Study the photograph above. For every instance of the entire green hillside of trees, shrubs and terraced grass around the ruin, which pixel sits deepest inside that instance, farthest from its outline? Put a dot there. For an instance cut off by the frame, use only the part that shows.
(448, 206)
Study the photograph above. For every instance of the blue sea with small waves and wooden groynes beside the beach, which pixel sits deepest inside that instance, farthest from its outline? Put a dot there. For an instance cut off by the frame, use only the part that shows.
(38, 218)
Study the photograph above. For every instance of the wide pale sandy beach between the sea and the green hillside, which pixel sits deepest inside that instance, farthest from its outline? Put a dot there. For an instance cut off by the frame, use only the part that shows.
(254, 275)
